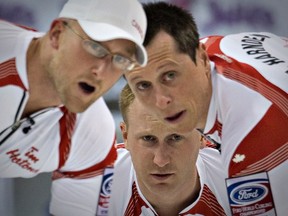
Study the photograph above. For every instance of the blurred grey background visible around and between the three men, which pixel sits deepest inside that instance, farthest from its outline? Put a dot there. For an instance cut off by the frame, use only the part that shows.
(30, 197)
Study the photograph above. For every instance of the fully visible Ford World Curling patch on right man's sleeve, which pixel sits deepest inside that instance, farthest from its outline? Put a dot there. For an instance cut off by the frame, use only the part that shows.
(250, 195)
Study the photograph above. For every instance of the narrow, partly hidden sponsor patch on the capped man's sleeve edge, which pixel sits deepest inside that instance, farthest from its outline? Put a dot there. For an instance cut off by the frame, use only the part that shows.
(104, 197)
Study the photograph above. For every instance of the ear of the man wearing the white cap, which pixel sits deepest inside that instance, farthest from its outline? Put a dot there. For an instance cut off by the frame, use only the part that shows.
(55, 31)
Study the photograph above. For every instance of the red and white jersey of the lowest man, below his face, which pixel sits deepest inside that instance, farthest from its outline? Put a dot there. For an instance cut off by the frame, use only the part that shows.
(127, 199)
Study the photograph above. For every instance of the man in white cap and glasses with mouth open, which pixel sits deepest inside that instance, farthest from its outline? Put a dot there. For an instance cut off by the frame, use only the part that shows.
(53, 117)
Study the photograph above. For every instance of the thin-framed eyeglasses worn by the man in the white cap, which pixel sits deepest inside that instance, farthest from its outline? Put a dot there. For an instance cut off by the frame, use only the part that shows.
(96, 49)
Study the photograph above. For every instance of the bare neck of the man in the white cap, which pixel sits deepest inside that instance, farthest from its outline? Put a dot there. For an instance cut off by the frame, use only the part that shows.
(41, 91)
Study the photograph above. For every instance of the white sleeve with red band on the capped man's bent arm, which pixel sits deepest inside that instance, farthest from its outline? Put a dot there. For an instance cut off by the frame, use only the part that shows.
(76, 185)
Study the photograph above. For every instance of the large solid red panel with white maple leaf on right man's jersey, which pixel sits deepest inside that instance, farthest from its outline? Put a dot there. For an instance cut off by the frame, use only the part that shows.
(265, 147)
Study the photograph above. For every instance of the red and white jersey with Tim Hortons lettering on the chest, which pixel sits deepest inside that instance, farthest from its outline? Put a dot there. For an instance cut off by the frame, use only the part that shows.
(75, 147)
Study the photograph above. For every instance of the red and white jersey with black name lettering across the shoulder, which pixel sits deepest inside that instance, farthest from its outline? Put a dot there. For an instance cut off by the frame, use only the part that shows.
(248, 116)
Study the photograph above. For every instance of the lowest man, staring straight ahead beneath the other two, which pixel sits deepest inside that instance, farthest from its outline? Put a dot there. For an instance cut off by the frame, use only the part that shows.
(160, 171)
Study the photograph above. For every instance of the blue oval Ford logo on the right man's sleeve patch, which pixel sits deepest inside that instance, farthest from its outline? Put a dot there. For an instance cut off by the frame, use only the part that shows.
(248, 194)
